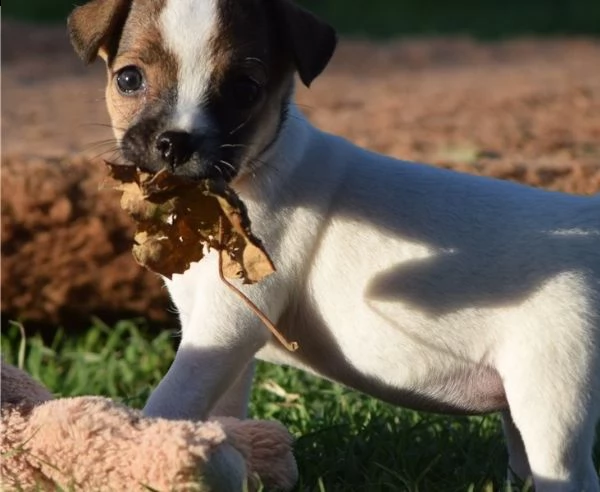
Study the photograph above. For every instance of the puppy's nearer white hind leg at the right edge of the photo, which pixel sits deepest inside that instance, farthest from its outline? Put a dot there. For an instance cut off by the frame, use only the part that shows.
(553, 394)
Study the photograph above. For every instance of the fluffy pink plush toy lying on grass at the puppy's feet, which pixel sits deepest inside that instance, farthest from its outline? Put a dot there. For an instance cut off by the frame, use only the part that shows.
(94, 444)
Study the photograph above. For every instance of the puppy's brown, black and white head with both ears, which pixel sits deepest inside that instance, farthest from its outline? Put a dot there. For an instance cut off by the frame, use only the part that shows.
(200, 87)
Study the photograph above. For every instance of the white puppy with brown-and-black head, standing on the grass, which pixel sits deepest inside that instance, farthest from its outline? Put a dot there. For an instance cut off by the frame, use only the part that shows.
(426, 288)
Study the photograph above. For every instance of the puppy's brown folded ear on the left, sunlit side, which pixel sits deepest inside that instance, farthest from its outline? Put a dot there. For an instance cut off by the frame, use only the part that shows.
(95, 28)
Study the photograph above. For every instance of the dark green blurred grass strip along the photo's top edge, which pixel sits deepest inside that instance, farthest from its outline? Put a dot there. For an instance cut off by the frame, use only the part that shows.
(385, 18)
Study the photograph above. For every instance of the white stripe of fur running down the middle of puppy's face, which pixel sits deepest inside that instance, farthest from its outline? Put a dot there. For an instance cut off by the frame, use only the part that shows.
(187, 27)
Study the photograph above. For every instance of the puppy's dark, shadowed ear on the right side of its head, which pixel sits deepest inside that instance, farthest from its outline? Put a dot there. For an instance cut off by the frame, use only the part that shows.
(310, 40)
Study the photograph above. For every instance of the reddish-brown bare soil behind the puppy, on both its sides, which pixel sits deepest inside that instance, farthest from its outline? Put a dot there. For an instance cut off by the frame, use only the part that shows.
(526, 110)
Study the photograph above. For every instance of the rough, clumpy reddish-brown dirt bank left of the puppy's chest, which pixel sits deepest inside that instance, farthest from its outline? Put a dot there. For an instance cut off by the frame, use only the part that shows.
(66, 246)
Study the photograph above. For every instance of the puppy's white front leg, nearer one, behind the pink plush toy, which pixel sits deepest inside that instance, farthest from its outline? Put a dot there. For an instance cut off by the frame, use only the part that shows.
(220, 336)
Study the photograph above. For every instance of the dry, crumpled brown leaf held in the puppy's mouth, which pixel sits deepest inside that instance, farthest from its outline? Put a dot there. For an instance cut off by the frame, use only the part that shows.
(177, 218)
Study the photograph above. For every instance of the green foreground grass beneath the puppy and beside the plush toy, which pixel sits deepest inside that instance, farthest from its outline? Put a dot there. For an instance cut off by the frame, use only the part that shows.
(345, 440)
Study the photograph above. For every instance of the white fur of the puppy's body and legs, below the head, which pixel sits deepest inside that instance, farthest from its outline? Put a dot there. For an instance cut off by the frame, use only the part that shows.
(414, 273)
